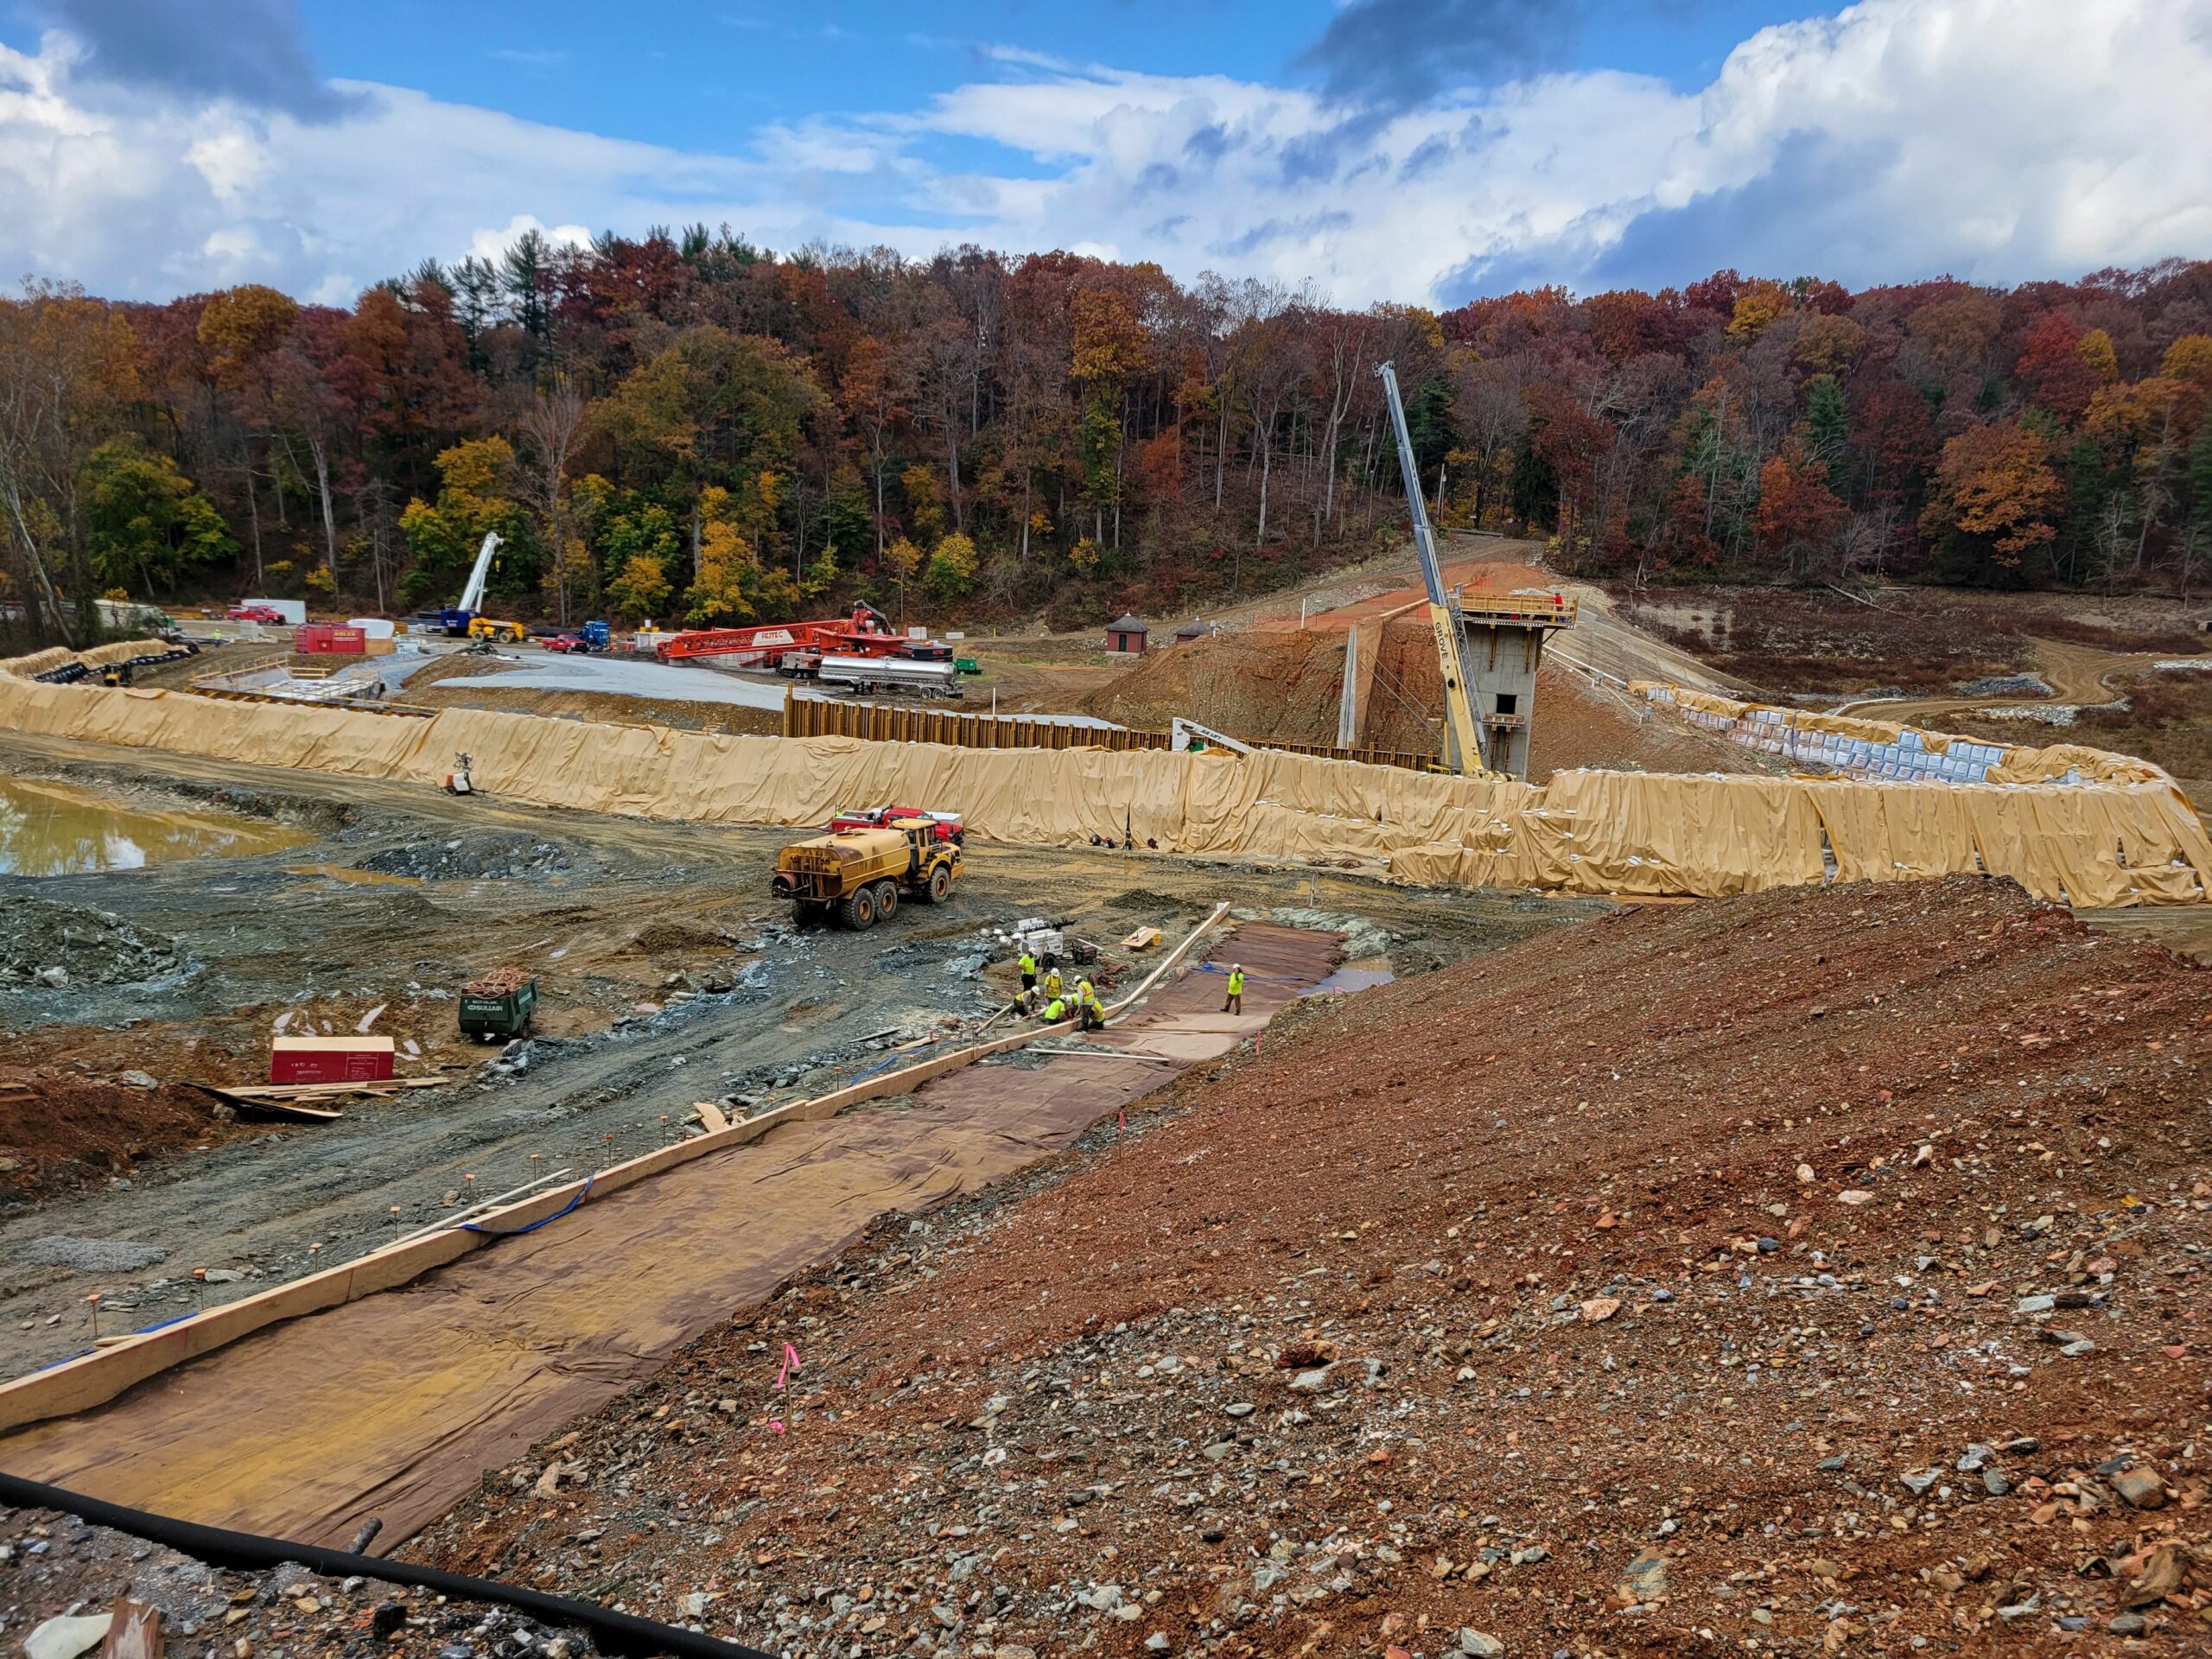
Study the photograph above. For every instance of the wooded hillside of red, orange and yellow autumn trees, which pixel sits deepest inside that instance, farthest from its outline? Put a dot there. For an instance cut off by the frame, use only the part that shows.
(687, 428)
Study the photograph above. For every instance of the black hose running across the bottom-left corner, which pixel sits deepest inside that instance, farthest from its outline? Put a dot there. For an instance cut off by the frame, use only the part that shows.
(616, 1634)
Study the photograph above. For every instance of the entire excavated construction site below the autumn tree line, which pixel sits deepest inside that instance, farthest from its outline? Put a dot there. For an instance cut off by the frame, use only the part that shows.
(1426, 1118)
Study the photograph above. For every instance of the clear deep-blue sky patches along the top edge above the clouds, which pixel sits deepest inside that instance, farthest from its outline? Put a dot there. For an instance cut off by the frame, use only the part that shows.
(705, 72)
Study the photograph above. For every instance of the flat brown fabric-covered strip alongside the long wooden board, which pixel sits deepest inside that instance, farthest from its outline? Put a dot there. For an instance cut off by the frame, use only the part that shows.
(397, 1404)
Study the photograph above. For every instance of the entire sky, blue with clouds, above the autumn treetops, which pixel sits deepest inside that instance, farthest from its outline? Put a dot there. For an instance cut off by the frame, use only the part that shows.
(1381, 149)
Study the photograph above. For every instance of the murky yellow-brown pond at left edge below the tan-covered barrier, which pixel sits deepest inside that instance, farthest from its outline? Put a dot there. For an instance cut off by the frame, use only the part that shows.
(59, 831)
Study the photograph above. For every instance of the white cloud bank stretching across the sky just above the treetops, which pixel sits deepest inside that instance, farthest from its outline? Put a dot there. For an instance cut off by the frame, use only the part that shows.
(1901, 138)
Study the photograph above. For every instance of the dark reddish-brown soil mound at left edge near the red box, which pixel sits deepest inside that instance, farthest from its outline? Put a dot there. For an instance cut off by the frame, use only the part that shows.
(63, 1131)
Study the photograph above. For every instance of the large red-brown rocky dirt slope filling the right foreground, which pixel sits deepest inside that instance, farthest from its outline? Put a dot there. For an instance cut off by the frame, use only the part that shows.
(1808, 1273)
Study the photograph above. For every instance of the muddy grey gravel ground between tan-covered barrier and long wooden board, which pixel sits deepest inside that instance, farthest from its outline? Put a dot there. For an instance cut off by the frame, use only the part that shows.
(408, 895)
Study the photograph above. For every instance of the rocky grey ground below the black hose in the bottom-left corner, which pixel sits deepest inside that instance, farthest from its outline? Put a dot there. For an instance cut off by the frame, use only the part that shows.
(56, 1567)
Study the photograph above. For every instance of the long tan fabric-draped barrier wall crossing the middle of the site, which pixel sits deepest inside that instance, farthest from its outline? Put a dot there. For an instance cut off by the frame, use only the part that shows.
(2122, 837)
